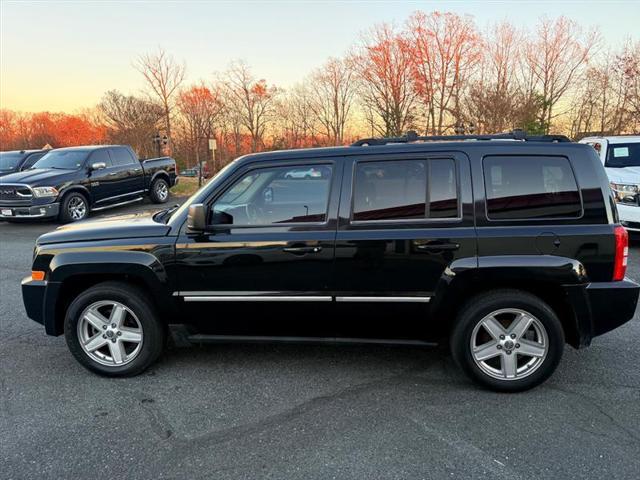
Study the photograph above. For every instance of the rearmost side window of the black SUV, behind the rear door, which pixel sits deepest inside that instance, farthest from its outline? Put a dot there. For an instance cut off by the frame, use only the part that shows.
(530, 187)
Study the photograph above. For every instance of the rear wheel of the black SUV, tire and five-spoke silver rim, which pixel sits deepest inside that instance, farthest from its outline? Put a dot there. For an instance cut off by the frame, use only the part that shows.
(507, 368)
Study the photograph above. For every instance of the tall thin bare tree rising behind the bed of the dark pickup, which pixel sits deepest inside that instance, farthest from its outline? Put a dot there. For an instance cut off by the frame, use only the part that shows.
(164, 77)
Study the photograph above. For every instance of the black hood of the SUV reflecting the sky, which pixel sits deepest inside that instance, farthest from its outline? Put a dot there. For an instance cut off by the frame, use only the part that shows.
(138, 225)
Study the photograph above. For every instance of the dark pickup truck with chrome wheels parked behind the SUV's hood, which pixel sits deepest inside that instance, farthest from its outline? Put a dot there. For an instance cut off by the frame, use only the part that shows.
(69, 183)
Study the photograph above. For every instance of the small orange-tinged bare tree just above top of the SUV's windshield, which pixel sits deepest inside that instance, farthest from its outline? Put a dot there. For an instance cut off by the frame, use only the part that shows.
(251, 100)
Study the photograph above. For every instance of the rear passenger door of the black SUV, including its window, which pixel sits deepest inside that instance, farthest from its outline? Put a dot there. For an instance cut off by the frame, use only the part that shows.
(404, 220)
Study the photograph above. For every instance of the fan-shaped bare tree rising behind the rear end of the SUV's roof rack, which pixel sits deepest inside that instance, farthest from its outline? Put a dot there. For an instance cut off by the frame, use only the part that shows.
(553, 58)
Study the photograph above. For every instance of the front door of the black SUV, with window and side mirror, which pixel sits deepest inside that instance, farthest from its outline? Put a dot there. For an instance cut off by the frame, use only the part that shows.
(274, 248)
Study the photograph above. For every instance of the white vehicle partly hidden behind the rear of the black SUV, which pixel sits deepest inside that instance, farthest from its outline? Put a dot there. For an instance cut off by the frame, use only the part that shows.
(621, 158)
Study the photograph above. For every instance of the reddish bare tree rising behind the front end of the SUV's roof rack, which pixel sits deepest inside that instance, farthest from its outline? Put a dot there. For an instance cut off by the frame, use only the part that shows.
(383, 68)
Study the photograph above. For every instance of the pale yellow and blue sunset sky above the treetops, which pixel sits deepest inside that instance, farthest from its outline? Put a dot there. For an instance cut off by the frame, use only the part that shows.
(62, 56)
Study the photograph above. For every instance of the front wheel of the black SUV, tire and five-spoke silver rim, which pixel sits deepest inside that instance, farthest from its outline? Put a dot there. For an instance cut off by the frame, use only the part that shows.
(114, 356)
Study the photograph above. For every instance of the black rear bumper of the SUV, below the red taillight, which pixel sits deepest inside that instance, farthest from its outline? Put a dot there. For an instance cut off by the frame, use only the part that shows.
(601, 307)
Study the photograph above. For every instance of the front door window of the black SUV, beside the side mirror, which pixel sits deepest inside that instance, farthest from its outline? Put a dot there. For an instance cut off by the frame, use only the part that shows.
(276, 195)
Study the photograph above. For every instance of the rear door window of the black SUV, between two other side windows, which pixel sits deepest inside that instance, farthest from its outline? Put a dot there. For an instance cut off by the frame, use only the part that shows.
(405, 190)
